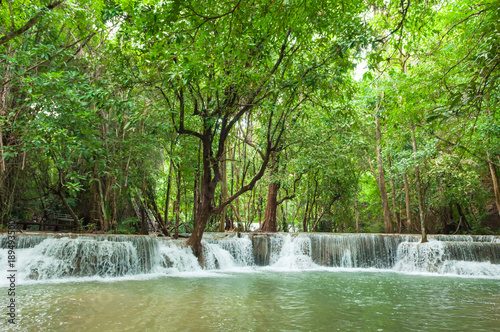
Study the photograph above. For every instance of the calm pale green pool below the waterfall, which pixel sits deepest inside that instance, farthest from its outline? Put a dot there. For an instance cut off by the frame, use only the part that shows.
(264, 301)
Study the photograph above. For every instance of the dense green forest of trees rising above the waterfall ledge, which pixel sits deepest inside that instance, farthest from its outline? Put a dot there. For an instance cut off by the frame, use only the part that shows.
(191, 116)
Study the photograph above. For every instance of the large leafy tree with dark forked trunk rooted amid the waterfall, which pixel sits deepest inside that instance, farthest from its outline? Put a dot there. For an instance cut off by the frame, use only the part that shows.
(223, 61)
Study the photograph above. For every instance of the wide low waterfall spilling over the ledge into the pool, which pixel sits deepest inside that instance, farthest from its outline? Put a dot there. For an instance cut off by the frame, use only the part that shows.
(46, 257)
